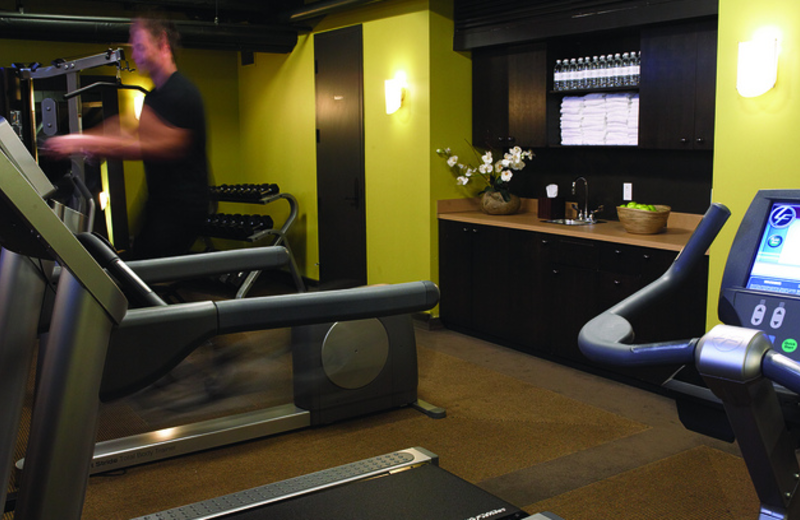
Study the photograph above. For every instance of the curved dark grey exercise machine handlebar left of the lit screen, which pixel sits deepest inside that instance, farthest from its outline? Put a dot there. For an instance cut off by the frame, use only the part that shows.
(608, 338)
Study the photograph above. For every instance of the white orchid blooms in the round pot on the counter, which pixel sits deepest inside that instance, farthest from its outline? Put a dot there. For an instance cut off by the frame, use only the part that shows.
(495, 175)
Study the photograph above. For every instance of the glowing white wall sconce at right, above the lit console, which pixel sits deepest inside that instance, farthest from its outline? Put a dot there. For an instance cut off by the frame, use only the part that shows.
(757, 69)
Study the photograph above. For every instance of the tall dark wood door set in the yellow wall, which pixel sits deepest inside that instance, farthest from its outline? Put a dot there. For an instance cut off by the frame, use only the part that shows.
(340, 157)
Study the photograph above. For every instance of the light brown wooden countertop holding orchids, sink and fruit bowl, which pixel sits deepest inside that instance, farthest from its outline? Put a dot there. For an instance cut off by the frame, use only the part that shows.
(679, 226)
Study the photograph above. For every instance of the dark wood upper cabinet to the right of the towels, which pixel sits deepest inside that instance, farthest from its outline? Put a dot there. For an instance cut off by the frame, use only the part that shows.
(677, 87)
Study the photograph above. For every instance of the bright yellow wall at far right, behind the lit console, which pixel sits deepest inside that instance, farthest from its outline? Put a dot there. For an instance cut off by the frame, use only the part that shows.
(756, 139)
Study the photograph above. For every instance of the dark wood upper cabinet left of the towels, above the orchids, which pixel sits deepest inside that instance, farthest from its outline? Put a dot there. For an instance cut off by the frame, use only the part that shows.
(509, 96)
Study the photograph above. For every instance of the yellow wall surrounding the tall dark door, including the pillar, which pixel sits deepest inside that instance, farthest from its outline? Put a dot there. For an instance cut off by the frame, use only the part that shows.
(403, 177)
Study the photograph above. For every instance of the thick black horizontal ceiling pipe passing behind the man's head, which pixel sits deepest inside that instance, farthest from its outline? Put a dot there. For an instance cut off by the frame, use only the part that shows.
(108, 30)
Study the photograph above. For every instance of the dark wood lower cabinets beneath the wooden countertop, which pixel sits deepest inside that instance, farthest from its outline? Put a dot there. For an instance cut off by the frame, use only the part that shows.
(535, 291)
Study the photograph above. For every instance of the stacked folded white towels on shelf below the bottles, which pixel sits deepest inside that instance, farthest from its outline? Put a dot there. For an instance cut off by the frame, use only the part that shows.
(600, 119)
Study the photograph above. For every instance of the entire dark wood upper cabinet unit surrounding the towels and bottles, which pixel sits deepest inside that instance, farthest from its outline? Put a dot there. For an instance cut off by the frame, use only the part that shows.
(511, 104)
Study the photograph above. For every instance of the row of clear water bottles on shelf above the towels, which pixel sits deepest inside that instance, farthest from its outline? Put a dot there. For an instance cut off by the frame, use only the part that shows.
(612, 70)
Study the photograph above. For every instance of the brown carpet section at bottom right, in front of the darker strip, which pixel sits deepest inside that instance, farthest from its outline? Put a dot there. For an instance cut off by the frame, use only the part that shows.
(698, 484)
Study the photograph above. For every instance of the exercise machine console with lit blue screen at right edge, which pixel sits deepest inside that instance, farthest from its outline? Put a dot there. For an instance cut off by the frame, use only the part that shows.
(761, 283)
